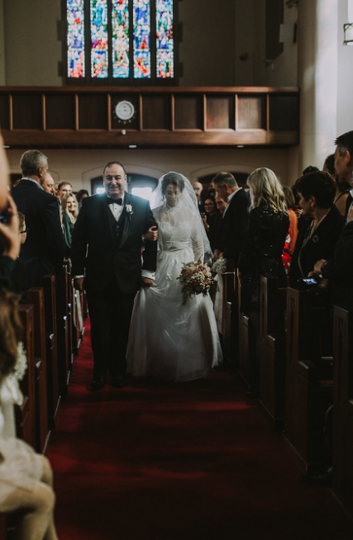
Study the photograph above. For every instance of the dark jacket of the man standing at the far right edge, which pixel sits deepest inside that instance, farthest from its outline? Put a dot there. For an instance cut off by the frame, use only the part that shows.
(340, 269)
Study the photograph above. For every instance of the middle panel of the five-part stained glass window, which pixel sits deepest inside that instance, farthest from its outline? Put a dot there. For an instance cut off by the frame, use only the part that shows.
(120, 38)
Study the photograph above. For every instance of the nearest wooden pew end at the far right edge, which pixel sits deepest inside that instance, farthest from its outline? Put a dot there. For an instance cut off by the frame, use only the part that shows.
(343, 408)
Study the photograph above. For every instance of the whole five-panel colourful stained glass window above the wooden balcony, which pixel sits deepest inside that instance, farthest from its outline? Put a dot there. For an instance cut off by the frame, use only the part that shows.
(120, 39)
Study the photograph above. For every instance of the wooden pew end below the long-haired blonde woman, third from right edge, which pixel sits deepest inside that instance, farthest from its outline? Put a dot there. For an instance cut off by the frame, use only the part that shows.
(272, 358)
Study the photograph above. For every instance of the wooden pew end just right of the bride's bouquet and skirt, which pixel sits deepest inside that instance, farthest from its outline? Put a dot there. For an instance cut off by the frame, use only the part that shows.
(230, 324)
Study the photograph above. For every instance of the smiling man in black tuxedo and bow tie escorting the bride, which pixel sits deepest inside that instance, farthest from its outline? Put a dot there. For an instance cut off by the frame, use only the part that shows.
(112, 226)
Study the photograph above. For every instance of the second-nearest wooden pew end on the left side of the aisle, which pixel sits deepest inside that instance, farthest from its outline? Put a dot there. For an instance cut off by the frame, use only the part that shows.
(35, 296)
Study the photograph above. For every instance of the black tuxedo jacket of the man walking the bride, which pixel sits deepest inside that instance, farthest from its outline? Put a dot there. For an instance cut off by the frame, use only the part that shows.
(105, 259)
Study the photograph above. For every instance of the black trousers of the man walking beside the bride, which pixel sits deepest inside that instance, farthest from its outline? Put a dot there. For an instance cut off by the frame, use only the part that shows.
(110, 313)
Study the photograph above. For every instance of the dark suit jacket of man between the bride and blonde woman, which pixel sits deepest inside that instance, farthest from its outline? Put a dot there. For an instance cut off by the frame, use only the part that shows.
(234, 226)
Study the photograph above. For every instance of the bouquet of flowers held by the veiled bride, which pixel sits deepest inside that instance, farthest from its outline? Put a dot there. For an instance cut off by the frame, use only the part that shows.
(196, 278)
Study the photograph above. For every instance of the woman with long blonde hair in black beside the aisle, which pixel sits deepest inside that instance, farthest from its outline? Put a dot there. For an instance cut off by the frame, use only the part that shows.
(263, 247)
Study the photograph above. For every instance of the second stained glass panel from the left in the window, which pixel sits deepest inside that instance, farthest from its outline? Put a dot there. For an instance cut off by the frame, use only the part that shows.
(99, 39)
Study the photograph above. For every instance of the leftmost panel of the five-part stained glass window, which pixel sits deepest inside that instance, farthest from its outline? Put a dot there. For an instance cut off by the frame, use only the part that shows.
(75, 38)
